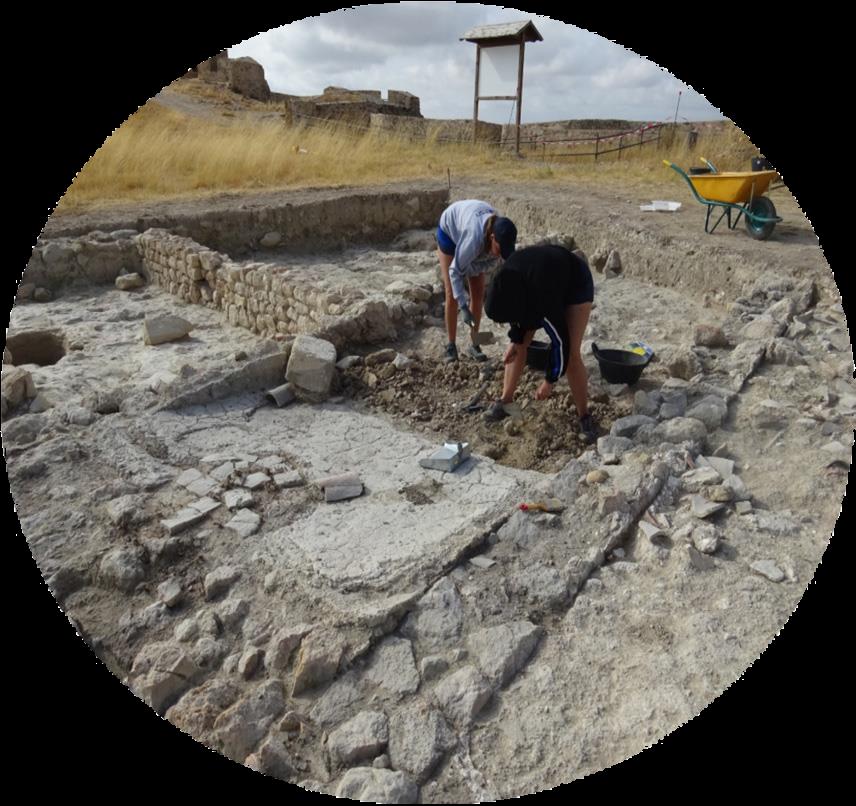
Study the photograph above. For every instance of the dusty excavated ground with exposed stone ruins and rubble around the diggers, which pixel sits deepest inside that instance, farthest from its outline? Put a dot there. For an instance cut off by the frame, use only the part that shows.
(280, 517)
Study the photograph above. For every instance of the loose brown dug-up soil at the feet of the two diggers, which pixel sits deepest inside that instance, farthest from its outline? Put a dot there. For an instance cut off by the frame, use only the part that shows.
(432, 396)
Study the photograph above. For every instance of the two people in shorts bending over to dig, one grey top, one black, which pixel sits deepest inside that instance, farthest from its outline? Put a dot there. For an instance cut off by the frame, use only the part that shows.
(537, 287)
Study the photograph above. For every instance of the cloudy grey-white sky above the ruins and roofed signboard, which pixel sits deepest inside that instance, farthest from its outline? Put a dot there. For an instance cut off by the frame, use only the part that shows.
(415, 47)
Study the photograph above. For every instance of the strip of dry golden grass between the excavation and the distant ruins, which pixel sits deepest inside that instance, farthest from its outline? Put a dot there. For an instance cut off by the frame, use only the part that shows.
(161, 153)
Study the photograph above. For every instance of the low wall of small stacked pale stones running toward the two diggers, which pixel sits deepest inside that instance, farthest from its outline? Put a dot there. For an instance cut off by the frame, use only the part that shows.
(272, 300)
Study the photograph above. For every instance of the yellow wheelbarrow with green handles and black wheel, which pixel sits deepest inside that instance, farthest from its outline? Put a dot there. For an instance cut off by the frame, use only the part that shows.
(734, 191)
